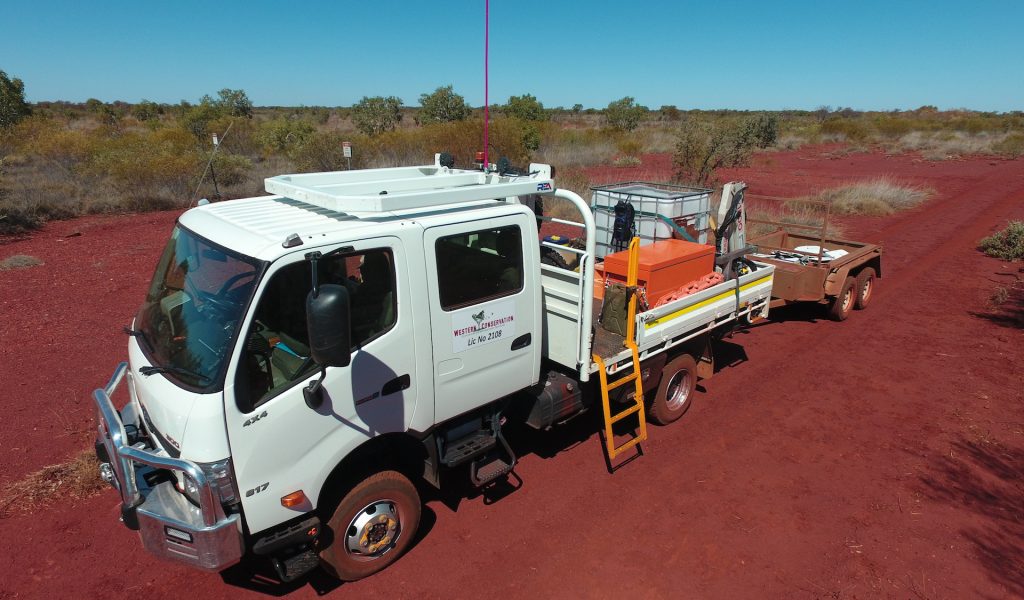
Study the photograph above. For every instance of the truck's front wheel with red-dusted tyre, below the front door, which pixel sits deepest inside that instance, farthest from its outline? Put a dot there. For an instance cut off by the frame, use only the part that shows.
(373, 527)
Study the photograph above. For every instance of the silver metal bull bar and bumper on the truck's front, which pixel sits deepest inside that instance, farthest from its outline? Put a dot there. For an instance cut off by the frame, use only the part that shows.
(170, 527)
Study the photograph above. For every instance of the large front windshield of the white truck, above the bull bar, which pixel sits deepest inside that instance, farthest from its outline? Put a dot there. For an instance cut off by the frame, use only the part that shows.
(194, 308)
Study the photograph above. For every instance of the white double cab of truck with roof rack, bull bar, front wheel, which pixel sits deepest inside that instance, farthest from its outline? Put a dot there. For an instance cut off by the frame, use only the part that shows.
(221, 451)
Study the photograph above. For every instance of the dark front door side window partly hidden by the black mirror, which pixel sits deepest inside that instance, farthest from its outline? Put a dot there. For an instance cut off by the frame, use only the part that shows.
(277, 353)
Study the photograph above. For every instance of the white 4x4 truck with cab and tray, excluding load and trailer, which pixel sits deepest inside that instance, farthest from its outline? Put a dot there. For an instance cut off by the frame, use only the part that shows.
(302, 360)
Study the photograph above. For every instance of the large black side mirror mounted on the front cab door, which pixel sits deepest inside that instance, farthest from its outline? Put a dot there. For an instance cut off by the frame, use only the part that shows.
(329, 324)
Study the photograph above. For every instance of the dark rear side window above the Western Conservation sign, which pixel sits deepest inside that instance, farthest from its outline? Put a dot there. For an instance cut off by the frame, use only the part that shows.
(479, 267)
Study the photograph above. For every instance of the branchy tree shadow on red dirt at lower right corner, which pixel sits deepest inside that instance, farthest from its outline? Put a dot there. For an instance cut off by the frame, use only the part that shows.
(987, 479)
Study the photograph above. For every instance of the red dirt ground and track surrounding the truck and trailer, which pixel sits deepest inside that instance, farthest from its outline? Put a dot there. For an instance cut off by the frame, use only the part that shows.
(878, 458)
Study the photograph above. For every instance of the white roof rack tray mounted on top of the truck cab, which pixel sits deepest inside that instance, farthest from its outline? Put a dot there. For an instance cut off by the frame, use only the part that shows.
(407, 188)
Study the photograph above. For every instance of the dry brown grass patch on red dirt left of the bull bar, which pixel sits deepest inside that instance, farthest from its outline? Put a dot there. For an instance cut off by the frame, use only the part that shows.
(77, 478)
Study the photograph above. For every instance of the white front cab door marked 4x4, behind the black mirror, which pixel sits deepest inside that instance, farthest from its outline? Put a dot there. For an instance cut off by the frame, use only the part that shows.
(279, 444)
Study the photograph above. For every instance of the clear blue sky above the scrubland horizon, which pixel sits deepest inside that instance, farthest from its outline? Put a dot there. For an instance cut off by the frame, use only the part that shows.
(732, 55)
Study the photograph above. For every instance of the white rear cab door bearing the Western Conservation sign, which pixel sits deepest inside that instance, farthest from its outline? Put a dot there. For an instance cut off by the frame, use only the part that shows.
(485, 311)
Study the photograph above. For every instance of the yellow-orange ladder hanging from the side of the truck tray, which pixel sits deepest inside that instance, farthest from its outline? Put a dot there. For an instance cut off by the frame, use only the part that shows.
(630, 342)
